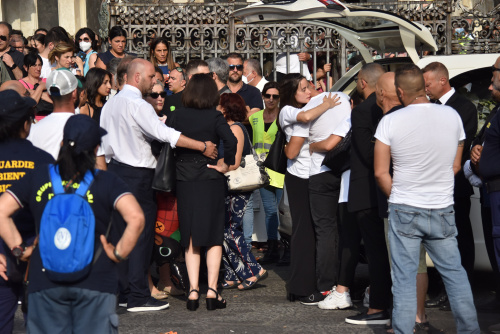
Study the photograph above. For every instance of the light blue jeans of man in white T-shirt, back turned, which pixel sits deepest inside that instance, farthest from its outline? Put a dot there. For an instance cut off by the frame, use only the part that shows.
(435, 228)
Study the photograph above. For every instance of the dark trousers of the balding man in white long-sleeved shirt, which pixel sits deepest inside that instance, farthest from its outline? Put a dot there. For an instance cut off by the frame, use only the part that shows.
(133, 273)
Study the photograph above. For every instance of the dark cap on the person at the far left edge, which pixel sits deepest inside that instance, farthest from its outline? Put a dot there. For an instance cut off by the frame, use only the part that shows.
(13, 107)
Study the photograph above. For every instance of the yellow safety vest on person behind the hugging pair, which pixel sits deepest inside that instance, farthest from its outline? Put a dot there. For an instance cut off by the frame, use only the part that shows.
(262, 142)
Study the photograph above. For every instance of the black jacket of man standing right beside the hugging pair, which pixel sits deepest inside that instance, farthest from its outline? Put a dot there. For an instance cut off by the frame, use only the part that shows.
(362, 186)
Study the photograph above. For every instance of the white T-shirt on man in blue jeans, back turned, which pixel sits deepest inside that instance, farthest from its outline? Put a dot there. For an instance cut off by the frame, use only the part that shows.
(423, 140)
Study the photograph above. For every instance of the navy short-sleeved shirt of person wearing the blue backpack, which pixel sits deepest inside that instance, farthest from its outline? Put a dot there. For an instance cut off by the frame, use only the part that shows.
(33, 191)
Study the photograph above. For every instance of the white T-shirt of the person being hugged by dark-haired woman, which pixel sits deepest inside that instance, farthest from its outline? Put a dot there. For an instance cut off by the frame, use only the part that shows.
(333, 121)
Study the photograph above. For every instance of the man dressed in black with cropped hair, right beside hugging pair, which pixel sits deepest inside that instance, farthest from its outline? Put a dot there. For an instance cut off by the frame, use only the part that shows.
(363, 198)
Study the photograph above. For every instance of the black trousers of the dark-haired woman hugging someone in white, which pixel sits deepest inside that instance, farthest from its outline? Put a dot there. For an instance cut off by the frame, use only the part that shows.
(302, 281)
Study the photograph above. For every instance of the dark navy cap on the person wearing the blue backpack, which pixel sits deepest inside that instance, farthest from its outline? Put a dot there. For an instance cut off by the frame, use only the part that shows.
(82, 132)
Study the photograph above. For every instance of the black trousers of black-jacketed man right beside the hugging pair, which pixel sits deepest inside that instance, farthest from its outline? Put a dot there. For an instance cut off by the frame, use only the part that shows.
(372, 231)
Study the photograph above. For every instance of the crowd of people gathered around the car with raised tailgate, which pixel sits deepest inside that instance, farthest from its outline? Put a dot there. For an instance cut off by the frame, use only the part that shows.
(401, 184)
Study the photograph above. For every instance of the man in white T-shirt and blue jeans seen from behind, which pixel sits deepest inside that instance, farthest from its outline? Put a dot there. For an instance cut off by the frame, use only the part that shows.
(425, 142)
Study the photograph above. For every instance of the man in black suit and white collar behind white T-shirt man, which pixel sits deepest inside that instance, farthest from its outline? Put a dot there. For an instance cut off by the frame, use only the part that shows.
(438, 89)
